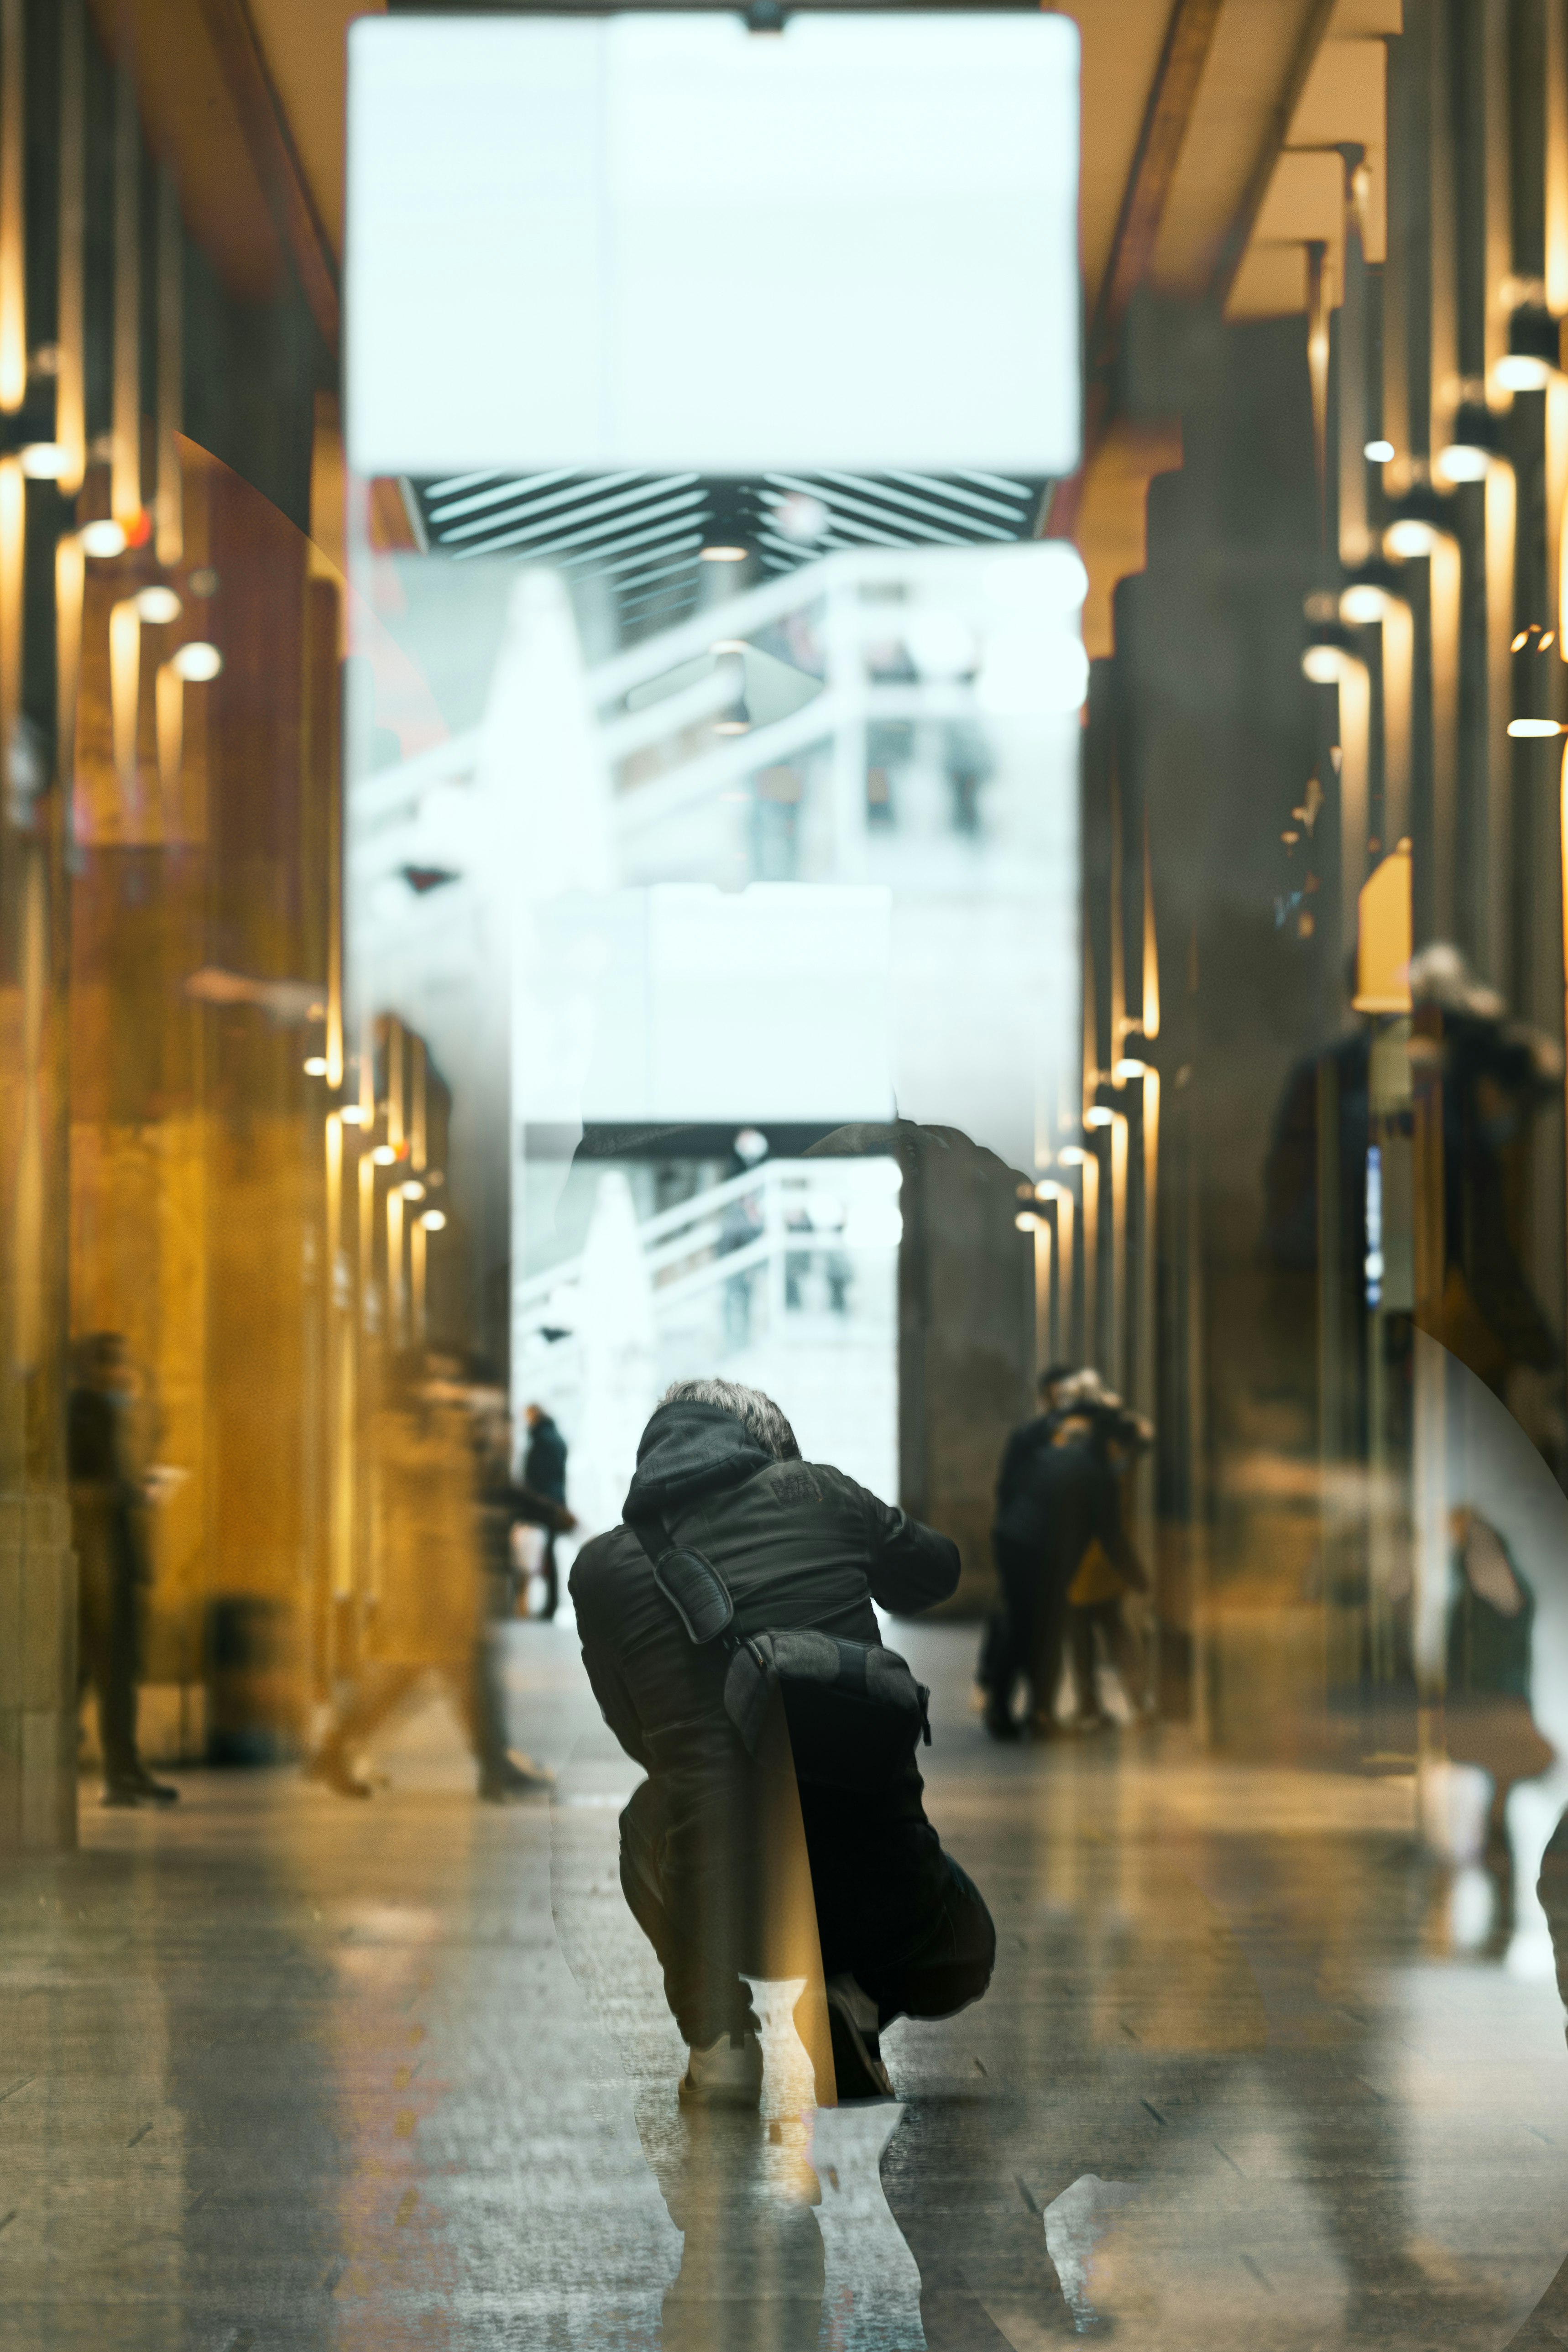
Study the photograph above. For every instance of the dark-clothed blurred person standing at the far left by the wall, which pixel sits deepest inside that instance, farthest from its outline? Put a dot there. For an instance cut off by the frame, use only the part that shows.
(114, 1572)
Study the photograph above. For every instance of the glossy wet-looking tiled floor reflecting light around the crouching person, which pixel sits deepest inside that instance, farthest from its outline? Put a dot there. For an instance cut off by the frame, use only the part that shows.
(288, 2073)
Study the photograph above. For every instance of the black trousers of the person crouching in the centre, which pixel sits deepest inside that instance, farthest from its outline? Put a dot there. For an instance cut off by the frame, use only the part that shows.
(925, 1946)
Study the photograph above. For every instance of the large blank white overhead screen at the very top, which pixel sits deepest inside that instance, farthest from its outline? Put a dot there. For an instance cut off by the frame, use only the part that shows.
(662, 241)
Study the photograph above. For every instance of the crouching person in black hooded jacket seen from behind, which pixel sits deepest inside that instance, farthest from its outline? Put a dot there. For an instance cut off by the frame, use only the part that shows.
(730, 1549)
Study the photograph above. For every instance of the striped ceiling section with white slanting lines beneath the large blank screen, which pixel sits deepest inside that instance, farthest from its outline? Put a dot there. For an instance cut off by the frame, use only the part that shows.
(643, 535)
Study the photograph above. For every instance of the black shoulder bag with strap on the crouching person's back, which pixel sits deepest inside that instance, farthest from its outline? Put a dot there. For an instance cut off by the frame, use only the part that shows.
(855, 1709)
